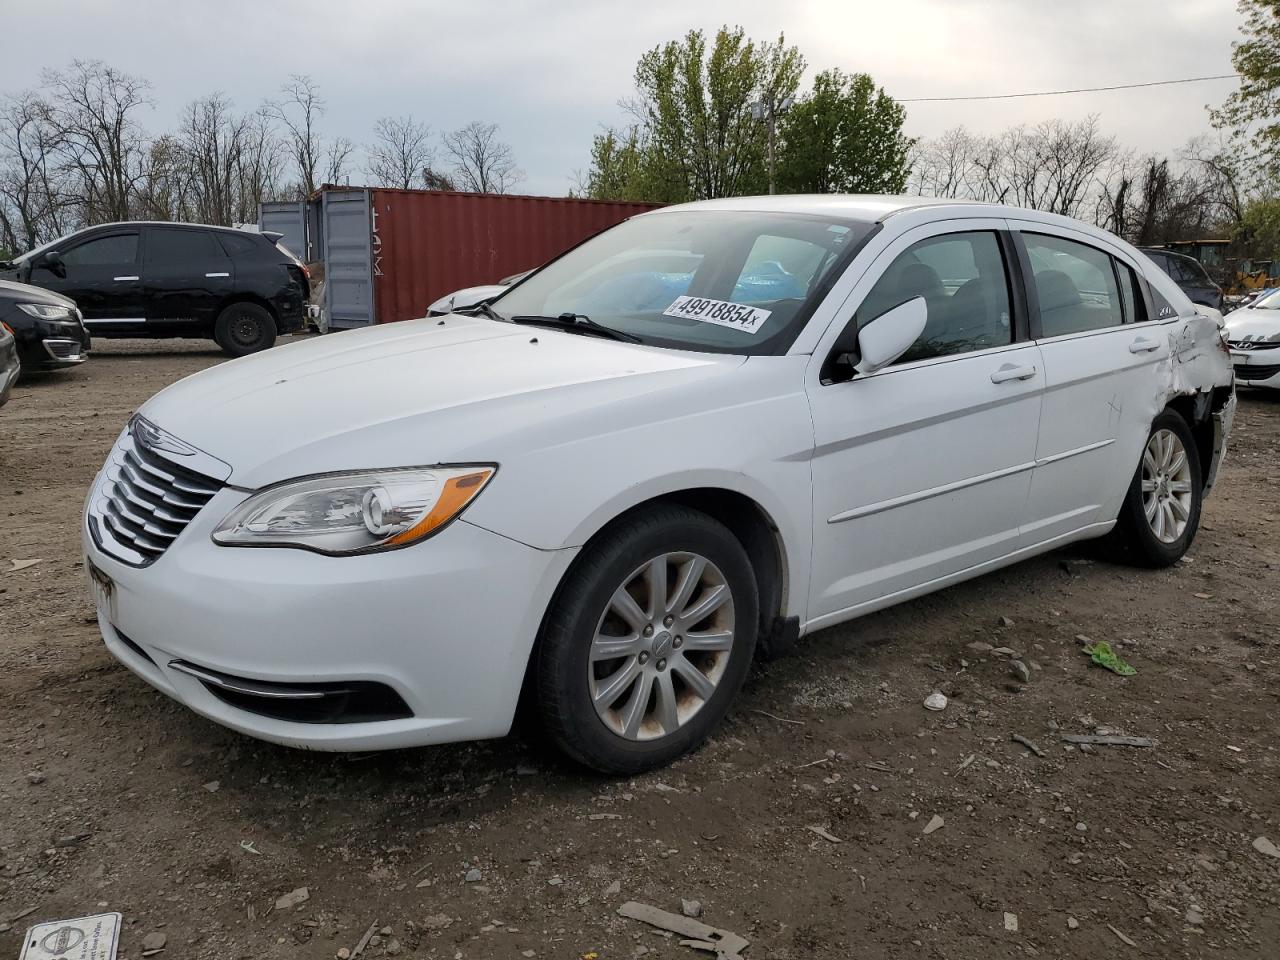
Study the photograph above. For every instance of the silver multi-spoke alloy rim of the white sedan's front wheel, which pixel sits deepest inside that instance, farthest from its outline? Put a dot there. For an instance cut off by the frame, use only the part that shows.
(661, 647)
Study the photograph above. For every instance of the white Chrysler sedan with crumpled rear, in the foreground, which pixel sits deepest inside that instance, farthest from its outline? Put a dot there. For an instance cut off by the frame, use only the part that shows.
(697, 437)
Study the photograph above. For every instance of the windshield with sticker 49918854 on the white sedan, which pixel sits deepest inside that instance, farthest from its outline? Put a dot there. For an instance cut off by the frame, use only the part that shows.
(711, 281)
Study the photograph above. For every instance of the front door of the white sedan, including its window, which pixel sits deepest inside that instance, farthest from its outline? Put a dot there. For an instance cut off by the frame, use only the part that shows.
(922, 469)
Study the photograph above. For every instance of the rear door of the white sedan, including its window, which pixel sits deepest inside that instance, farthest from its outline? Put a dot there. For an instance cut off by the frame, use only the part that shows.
(1101, 354)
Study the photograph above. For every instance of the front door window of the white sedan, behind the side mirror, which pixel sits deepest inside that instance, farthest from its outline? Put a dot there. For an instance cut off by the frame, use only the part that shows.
(966, 289)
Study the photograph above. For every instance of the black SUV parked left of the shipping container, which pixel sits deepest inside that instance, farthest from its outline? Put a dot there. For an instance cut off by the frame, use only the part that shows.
(170, 280)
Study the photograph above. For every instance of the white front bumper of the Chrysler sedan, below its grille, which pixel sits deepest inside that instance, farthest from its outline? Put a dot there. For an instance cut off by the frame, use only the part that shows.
(446, 625)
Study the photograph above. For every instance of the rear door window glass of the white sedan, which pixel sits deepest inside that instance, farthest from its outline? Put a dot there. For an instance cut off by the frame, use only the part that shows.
(1075, 285)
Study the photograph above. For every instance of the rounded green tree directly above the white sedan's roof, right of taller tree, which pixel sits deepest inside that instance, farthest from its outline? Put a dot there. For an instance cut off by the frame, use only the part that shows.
(844, 136)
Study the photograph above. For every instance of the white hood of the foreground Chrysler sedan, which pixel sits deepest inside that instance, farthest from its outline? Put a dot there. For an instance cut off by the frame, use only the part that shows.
(456, 390)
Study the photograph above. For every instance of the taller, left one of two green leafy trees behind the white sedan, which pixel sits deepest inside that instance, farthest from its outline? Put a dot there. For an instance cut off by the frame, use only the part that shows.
(694, 138)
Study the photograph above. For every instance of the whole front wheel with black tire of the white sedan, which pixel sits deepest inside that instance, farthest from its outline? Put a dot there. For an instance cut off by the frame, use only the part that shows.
(593, 641)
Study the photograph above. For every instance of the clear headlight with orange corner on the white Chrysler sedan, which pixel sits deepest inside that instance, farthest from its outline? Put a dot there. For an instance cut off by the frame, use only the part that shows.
(350, 514)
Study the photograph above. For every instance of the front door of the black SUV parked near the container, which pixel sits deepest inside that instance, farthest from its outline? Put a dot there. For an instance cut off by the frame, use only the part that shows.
(102, 277)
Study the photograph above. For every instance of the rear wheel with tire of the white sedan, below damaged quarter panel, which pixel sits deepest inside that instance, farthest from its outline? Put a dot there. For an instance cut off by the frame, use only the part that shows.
(1169, 479)
